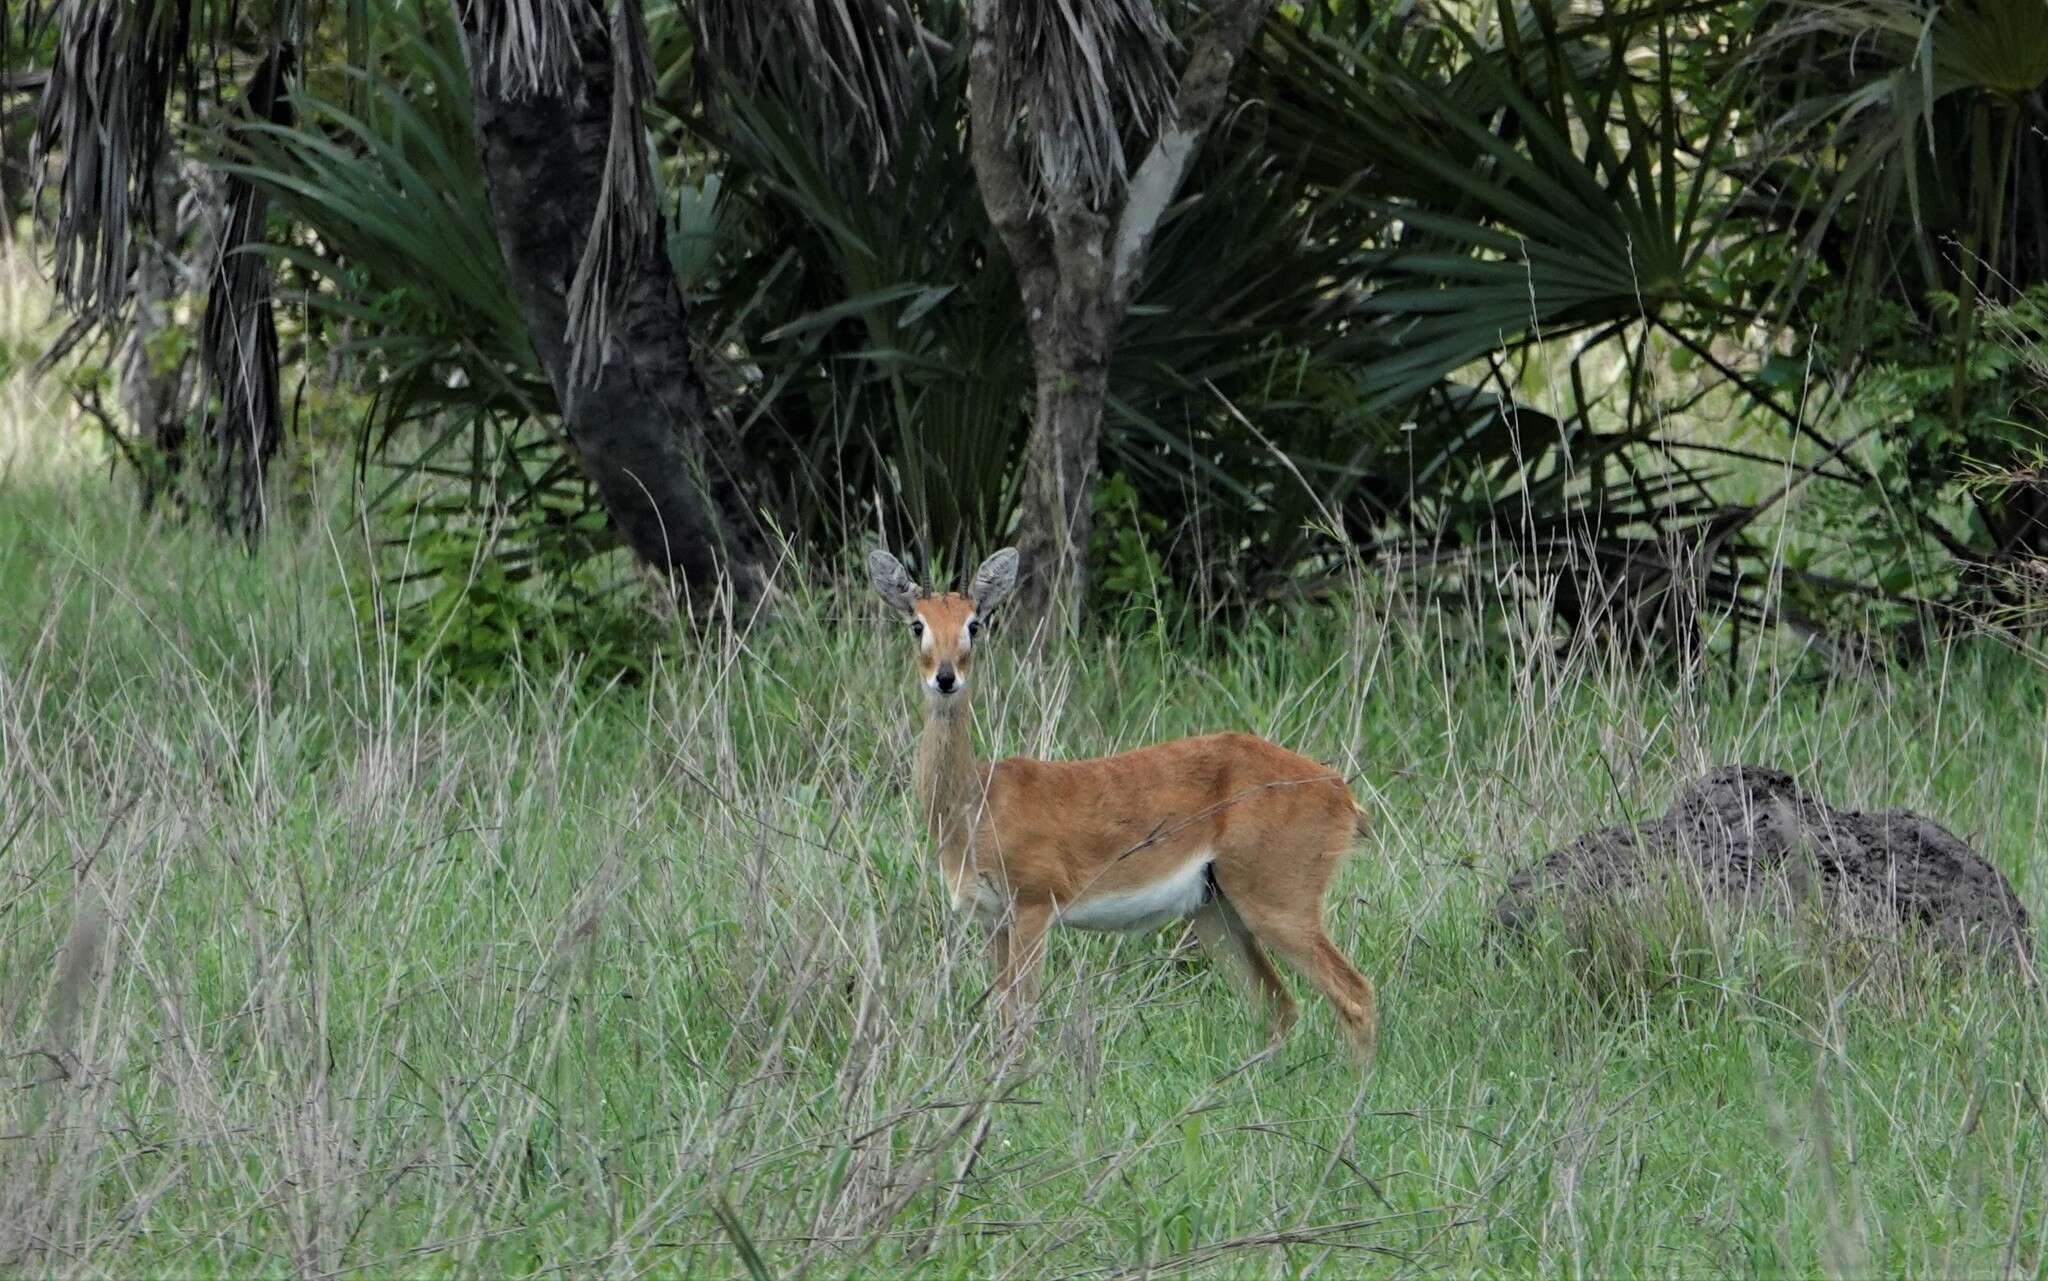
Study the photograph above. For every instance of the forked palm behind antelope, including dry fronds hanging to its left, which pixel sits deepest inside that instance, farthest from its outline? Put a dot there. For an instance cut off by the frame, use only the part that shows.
(1082, 136)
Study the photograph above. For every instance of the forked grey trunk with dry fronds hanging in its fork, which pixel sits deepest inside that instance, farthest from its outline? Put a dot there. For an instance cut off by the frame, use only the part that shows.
(1046, 81)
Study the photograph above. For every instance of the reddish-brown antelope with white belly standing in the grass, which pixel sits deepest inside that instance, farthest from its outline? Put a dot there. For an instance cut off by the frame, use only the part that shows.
(1230, 831)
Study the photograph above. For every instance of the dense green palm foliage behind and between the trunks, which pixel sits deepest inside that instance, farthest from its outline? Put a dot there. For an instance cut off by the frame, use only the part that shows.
(1687, 319)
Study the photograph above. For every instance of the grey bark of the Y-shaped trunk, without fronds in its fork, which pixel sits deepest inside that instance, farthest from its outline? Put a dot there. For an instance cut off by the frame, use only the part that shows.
(1078, 267)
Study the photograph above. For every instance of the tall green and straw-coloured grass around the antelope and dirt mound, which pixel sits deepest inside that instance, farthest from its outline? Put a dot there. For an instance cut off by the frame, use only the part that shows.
(312, 970)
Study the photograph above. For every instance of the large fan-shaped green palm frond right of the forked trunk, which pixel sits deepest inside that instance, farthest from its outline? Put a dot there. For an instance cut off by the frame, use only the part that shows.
(1525, 200)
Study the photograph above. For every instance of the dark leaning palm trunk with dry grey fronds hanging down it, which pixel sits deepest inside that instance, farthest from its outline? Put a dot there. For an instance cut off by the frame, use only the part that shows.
(558, 91)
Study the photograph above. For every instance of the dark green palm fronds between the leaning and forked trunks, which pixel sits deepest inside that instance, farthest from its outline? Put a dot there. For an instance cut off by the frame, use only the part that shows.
(878, 311)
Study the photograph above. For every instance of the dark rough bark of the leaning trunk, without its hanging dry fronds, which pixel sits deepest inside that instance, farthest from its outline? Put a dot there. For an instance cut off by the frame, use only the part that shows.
(638, 417)
